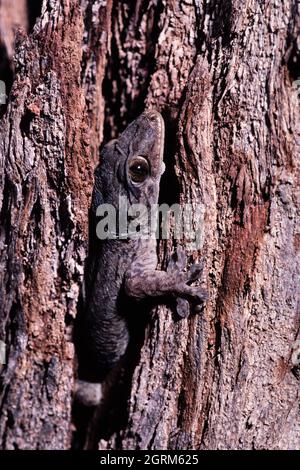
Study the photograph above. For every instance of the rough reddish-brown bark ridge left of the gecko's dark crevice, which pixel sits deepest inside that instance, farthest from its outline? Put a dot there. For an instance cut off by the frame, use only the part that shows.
(48, 138)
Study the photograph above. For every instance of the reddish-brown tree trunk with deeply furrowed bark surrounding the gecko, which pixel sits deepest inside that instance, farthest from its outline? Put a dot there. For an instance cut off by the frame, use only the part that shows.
(224, 76)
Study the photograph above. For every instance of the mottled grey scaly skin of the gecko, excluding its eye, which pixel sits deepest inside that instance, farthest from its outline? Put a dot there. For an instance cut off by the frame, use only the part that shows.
(129, 266)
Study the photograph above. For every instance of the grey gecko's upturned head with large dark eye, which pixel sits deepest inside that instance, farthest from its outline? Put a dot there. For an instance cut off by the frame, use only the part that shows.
(134, 162)
